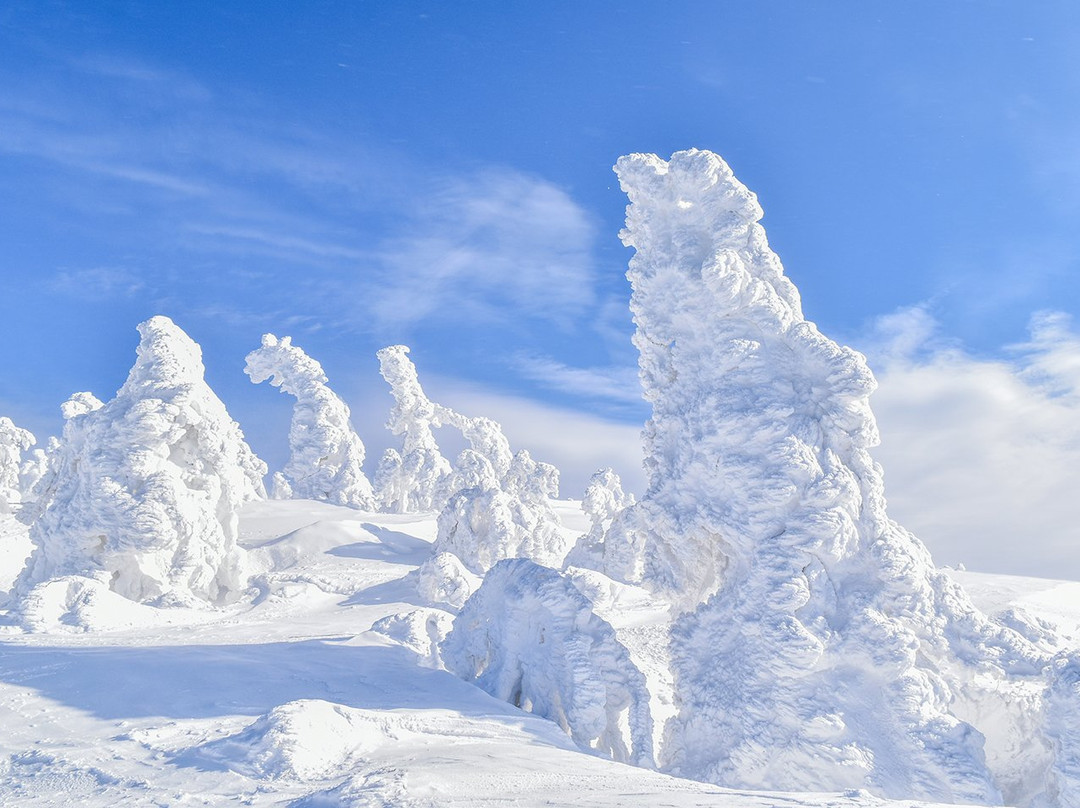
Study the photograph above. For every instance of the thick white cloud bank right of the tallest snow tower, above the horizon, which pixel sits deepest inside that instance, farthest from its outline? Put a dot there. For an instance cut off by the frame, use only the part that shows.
(977, 452)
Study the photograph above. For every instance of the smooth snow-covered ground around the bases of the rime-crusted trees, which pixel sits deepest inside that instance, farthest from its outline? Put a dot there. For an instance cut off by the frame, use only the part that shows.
(290, 698)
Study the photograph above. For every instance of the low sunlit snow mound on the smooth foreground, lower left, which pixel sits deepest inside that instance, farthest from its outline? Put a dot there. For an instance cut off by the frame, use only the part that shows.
(303, 740)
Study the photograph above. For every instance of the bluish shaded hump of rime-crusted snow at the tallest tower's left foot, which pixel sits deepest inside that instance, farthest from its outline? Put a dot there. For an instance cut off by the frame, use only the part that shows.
(529, 637)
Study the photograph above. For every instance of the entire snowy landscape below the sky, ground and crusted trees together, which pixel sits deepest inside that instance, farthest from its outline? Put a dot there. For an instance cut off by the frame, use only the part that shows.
(754, 631)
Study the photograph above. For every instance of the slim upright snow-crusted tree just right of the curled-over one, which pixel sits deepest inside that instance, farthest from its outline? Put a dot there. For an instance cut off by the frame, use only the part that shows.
(411, 480)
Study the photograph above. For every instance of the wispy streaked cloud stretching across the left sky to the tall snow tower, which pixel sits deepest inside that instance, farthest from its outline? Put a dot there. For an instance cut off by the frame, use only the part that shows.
(385, 244)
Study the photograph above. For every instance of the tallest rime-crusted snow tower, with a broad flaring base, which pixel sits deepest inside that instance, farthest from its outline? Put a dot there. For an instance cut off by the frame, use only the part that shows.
(819, 647)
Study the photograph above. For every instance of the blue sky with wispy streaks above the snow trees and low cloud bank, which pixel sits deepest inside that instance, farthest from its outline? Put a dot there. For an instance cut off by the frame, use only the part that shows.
(363, 173)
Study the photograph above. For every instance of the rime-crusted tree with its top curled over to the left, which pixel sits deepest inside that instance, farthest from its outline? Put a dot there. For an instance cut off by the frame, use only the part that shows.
(327, 455)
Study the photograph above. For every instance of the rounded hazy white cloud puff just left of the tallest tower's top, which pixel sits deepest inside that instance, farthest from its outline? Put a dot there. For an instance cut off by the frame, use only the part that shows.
(492, 247)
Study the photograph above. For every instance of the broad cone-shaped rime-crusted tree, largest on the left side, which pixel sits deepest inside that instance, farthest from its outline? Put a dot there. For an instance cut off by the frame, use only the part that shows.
(145, 490)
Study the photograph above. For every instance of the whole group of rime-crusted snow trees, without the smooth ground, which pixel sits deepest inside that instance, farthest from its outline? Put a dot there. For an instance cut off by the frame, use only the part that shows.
(809, 642)
